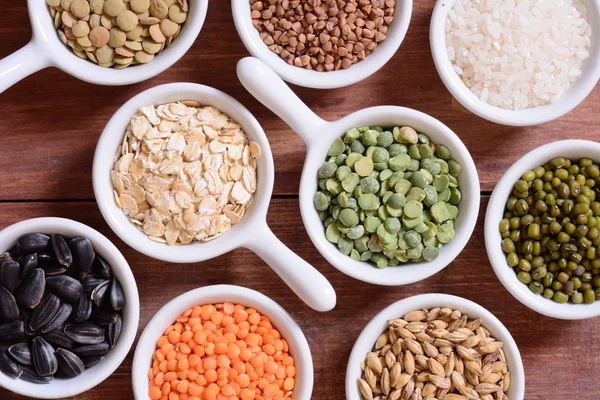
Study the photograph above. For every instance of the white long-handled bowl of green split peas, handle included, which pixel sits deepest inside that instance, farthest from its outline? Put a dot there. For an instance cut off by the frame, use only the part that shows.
(386, 219)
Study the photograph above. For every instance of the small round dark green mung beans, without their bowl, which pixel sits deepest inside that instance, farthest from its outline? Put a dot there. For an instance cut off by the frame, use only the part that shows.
(550, 230)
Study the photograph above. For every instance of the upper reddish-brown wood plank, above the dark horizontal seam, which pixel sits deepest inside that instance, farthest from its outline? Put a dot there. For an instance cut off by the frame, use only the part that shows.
(51, 121)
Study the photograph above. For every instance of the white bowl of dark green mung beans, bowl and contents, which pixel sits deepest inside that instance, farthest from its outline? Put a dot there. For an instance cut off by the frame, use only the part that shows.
(542, 229)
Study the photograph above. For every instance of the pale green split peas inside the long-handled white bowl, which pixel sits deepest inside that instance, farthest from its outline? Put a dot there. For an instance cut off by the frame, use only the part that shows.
(389, 196)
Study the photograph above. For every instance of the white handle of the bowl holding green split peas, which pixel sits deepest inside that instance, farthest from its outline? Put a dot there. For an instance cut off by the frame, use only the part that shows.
(268, 88)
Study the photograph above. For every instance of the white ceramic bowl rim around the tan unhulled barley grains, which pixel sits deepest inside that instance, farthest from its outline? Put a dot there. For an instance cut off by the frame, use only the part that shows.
(378, 325)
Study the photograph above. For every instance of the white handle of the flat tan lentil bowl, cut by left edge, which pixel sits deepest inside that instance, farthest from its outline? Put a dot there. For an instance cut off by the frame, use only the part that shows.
(20, 64)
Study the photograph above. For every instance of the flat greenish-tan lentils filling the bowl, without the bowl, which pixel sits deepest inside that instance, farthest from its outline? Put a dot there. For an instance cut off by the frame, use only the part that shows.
(118, 33)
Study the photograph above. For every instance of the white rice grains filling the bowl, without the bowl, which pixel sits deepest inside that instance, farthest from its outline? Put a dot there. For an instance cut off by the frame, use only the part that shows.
(517, 54)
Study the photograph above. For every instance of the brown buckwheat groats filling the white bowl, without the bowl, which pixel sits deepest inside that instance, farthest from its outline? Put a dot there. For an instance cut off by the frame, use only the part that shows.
(322, 35)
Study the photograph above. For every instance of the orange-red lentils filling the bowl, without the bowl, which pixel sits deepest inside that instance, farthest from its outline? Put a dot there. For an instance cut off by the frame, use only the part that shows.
(221, 352)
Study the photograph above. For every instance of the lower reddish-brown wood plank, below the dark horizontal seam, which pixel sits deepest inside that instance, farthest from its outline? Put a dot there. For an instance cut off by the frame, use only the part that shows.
(561, 358)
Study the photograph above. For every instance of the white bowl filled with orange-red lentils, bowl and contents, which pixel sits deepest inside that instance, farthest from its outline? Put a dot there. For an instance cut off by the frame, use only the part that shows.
(222, 342)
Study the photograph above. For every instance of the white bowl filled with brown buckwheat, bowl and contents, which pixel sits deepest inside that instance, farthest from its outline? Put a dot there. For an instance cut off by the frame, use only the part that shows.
(316, 44)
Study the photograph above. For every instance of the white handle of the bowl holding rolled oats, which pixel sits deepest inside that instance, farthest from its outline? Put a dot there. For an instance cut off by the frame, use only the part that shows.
(304, 280)
